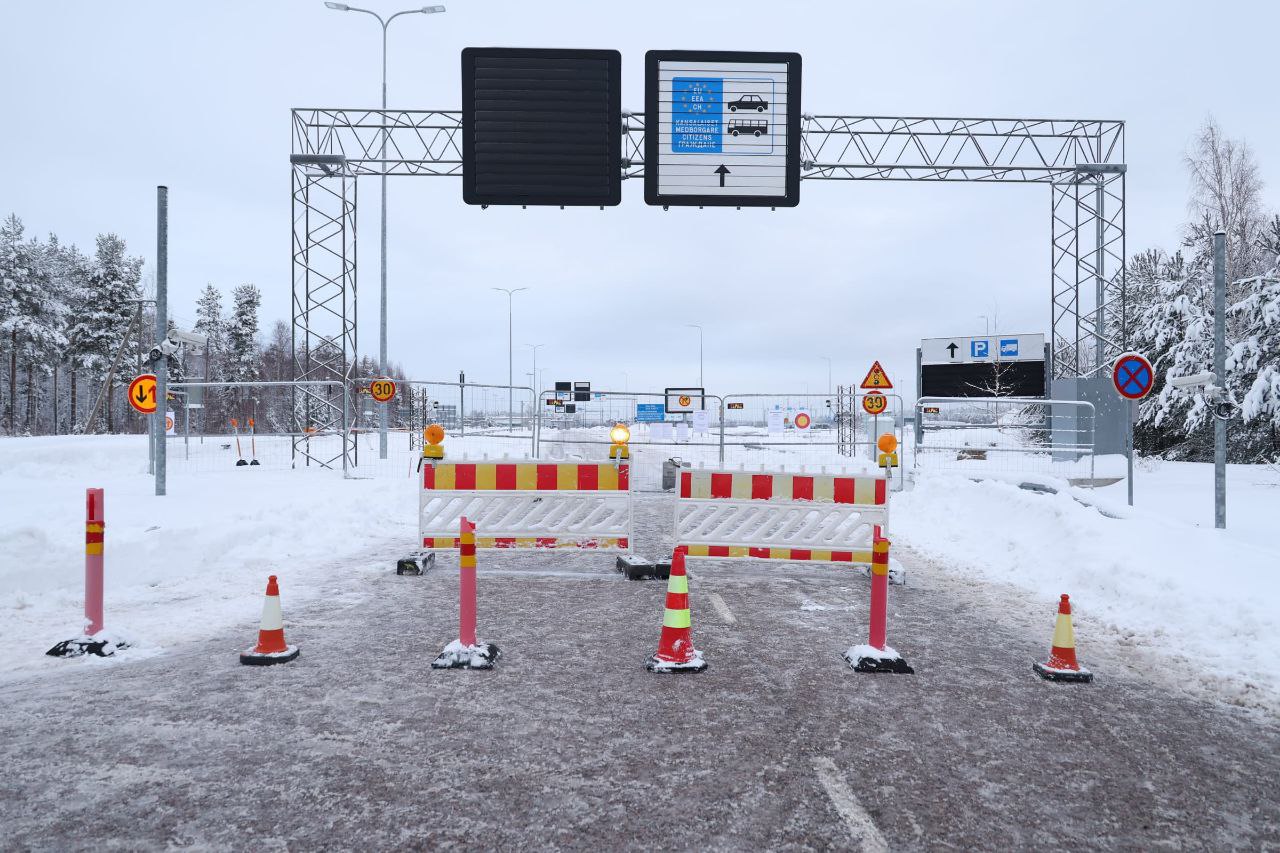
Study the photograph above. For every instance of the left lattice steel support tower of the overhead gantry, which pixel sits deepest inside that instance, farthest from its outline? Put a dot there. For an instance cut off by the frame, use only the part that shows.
(324, 313)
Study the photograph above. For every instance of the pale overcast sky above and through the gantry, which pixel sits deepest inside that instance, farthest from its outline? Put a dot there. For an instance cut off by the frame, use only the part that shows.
(102, 102)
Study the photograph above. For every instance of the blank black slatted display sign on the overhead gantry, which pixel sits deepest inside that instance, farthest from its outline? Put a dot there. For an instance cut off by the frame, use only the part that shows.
(542, 127)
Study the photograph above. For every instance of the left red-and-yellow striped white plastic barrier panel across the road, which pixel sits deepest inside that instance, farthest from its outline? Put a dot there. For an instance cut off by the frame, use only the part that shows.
(528, 505)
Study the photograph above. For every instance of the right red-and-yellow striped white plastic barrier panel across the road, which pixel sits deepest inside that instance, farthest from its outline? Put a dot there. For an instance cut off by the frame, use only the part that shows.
(779, 516)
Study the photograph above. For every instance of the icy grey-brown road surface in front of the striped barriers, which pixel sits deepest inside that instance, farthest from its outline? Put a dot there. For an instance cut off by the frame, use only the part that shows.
(570, 743)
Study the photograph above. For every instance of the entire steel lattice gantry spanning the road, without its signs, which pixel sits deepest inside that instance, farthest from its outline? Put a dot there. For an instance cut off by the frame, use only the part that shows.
(1082, 162)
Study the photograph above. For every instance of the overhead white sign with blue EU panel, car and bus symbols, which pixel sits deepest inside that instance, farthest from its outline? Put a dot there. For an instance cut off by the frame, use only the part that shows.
(725, 129)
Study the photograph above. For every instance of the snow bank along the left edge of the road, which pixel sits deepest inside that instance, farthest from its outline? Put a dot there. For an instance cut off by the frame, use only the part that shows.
(182, 567)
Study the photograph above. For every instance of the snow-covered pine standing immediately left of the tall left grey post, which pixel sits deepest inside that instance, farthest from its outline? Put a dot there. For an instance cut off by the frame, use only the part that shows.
(104, 314)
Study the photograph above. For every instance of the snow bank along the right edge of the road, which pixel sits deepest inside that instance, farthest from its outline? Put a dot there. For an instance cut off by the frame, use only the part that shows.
(1208, 596)
